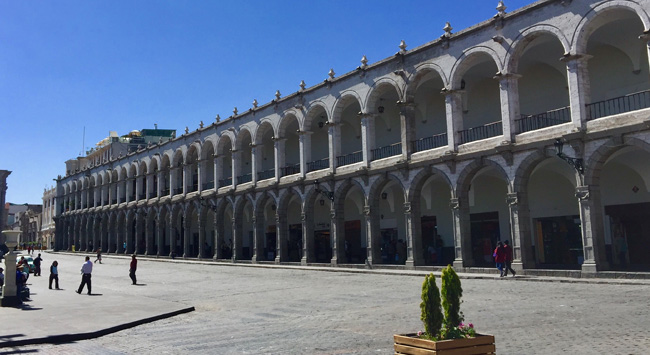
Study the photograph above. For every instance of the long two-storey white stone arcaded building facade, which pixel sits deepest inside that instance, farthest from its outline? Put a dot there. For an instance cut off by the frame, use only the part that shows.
(532, 127)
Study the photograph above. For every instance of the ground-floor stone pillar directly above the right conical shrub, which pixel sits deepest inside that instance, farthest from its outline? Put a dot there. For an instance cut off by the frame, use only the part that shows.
(462, 234)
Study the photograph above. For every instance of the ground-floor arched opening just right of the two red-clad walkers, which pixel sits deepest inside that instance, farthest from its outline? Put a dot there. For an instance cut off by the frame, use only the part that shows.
(555, 216)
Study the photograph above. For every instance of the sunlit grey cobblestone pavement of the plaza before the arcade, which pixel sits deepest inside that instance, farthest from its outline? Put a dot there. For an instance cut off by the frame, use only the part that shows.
(243, 310)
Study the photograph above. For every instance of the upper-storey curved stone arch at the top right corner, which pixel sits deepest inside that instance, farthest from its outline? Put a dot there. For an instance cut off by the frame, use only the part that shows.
(589, 22)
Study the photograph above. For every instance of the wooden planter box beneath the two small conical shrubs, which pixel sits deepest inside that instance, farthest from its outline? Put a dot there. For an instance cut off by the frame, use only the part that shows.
(411, 344)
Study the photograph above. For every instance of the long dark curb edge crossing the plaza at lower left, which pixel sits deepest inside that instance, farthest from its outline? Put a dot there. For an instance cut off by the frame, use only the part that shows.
(67, 338)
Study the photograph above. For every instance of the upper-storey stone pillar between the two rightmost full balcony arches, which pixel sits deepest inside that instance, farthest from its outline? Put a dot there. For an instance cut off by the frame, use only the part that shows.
(579, 88)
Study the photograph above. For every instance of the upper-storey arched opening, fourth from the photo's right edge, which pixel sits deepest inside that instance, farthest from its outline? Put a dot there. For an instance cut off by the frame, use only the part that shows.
(430, 113)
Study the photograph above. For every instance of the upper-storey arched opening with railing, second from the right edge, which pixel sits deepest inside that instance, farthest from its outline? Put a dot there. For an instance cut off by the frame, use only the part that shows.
(543, 86)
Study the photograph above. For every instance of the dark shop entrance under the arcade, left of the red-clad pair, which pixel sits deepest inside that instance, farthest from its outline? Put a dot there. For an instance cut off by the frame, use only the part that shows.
(485, 234)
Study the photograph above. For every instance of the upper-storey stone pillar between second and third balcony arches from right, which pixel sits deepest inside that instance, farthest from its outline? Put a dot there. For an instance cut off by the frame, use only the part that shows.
(509, 93)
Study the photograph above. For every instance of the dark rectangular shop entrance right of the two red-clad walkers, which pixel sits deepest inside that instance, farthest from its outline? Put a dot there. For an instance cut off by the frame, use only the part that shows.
(558, 242)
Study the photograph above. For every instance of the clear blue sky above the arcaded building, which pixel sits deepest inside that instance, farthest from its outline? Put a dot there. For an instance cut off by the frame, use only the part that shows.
(122, 65)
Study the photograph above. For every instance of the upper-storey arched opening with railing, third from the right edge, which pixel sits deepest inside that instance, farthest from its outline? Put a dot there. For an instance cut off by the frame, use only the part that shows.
(481, 100)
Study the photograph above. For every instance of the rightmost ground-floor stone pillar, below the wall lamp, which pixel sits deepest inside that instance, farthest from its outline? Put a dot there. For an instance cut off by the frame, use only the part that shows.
(593, 236)
